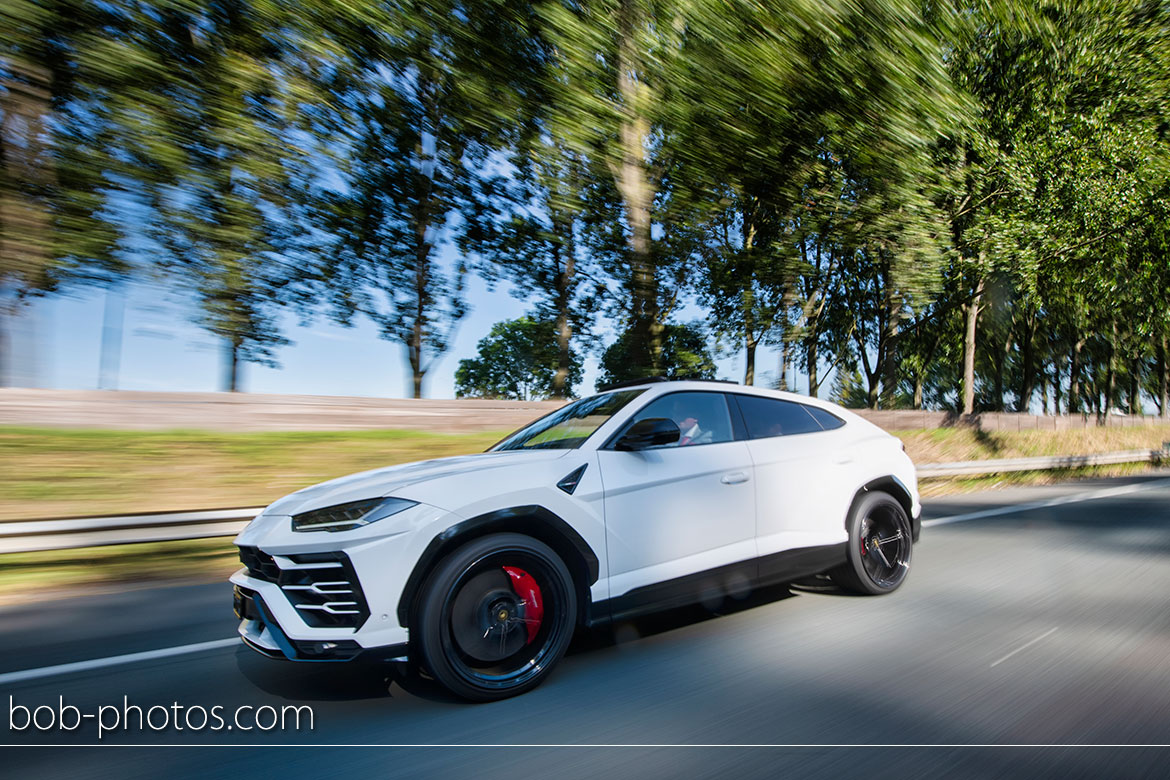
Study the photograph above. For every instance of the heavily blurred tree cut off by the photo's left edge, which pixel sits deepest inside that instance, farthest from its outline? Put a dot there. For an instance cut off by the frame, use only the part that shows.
(65, 157)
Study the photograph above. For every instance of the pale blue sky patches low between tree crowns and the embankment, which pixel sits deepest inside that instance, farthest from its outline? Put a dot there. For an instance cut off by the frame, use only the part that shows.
(58, 346)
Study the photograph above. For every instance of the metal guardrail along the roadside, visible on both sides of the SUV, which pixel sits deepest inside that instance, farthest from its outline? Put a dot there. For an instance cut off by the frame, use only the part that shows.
(77, 533)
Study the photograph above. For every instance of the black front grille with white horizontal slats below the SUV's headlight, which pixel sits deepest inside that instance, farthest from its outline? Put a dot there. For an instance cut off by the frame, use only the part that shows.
(322, 588)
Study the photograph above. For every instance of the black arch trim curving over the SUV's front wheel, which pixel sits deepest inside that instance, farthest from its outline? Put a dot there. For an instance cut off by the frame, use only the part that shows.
(533, 521)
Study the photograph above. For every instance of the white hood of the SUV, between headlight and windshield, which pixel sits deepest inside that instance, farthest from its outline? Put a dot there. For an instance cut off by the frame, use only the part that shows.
(393, 479)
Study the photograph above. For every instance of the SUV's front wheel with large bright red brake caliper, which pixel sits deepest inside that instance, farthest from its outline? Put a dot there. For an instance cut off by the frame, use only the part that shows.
(519, 593)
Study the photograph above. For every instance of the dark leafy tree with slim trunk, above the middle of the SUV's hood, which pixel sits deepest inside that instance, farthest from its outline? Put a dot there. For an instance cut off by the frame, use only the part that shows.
(425, 100)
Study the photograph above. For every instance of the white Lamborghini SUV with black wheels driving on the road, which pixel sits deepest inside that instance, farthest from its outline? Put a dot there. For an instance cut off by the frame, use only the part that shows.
(648, 496)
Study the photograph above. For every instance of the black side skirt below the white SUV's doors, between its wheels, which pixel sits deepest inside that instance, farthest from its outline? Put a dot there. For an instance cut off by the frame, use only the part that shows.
(712, 585)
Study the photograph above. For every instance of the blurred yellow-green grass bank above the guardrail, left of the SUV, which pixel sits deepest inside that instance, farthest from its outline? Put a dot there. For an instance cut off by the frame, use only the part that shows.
(52, 473)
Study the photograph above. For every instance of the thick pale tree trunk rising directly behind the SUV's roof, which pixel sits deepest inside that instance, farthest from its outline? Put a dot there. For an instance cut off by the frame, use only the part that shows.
(635, 188)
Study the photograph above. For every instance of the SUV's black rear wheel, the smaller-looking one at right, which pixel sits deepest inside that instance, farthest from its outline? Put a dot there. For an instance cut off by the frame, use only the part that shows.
(880, 547)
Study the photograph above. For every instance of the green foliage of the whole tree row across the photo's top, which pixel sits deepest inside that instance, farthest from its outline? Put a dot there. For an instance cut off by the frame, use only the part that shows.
(898, 191)
